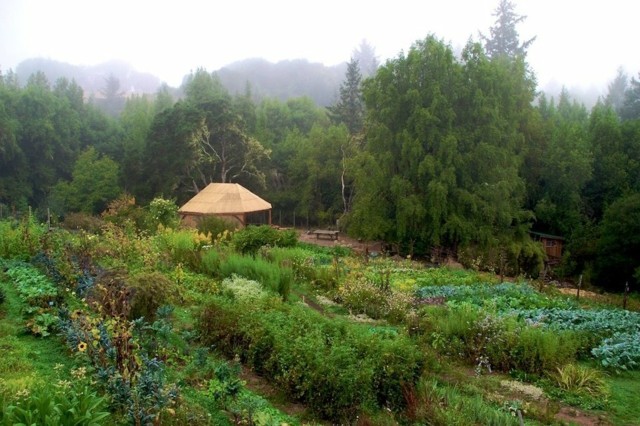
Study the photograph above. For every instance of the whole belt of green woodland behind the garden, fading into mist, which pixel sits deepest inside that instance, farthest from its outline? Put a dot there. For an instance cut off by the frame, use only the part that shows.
(428, 151)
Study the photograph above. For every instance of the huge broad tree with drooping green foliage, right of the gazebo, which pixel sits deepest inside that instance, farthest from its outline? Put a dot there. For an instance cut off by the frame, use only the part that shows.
(443, 149)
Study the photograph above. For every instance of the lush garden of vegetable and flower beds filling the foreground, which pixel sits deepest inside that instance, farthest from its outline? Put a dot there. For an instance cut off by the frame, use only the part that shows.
(128, 318)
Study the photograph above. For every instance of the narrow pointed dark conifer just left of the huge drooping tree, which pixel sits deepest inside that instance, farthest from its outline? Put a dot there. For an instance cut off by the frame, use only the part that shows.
(349, 110)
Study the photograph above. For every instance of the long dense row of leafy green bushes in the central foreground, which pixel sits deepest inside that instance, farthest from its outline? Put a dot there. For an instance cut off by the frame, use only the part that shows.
(300, 350)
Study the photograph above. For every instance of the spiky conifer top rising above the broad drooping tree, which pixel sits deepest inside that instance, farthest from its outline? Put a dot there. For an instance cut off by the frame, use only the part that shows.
(504, 39)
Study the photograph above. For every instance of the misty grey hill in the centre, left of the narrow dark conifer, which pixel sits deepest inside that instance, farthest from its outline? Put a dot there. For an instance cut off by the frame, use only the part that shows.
(285, 79)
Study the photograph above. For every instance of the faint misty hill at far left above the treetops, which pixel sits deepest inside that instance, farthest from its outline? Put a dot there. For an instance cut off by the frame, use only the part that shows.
(92, 79)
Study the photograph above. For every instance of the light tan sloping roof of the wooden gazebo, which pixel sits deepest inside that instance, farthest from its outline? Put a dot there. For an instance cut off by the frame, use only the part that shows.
(224, 199)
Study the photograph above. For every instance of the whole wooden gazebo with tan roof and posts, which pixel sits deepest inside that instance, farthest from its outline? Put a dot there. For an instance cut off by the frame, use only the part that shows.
(225, 200)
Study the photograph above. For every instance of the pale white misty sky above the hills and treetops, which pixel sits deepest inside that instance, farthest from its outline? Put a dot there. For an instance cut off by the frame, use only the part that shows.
(579, 43)
